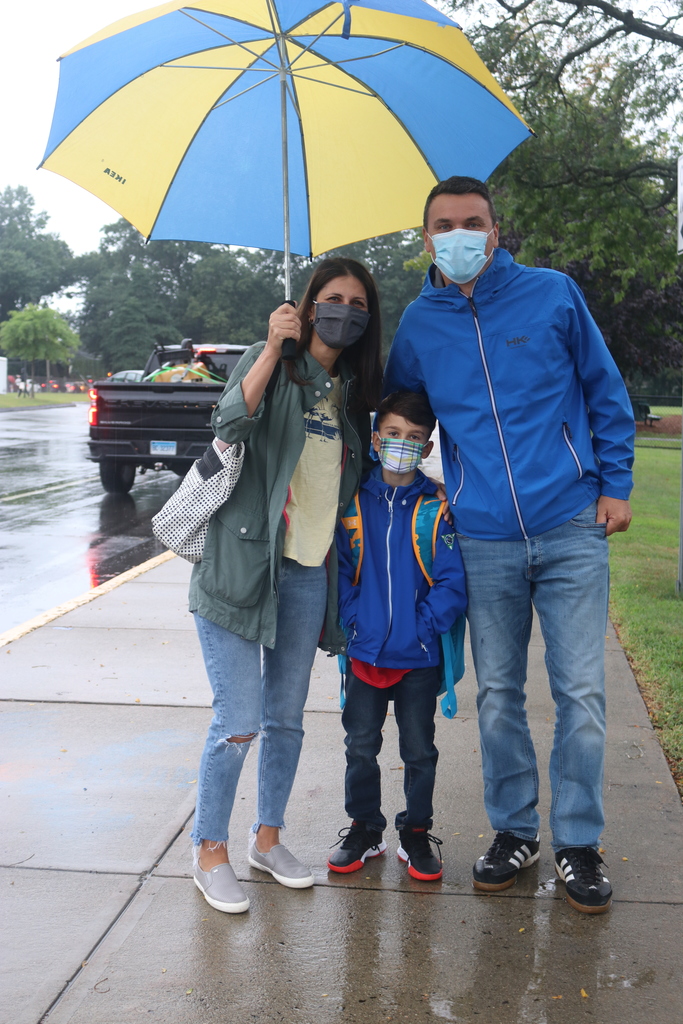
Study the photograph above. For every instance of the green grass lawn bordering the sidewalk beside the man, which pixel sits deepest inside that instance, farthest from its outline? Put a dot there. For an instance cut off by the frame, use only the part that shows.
(645, 608)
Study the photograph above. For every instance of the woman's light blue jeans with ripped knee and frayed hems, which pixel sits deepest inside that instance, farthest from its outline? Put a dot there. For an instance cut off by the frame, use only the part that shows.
(253, 695)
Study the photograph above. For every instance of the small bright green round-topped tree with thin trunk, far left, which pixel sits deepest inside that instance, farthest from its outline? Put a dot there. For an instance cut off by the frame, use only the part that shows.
(37, 333)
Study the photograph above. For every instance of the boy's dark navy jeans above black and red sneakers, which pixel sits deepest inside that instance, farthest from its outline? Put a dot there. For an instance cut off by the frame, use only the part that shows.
(415, 705)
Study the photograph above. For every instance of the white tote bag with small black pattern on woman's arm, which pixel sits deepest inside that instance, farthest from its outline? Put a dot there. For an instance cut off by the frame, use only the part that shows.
(184, 523)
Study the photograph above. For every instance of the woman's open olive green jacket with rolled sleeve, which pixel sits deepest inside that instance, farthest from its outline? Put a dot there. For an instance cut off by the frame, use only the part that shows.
(236, 584)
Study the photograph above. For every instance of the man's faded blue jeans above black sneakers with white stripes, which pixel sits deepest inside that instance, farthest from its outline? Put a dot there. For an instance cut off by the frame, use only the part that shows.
(565, 575)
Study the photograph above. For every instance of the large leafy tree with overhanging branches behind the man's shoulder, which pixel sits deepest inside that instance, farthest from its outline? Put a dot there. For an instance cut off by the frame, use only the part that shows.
(594, 193)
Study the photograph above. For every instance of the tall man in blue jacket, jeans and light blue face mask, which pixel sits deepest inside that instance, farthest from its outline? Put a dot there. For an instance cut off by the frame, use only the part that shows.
(537, 445)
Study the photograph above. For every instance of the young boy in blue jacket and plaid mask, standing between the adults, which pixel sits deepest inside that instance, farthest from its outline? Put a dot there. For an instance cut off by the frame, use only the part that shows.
(394, 615)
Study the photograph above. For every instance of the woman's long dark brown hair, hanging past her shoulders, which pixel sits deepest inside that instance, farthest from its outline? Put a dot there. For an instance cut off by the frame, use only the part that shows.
(364, 357)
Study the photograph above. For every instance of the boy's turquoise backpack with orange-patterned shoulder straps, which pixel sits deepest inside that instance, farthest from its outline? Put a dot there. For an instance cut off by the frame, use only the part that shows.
(426, 520)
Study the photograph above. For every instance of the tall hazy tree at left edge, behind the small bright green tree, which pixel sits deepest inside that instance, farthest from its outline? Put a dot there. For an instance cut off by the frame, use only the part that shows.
(34, 265)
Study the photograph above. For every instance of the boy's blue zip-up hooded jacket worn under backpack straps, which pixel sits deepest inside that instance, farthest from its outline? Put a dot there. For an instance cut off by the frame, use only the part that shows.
(393, 617)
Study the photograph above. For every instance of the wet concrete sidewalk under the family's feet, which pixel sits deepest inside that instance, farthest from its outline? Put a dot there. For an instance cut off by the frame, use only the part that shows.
(105, 711)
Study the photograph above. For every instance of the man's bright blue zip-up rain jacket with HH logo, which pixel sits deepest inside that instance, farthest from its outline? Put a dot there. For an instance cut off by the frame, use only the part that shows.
(535, 419)
